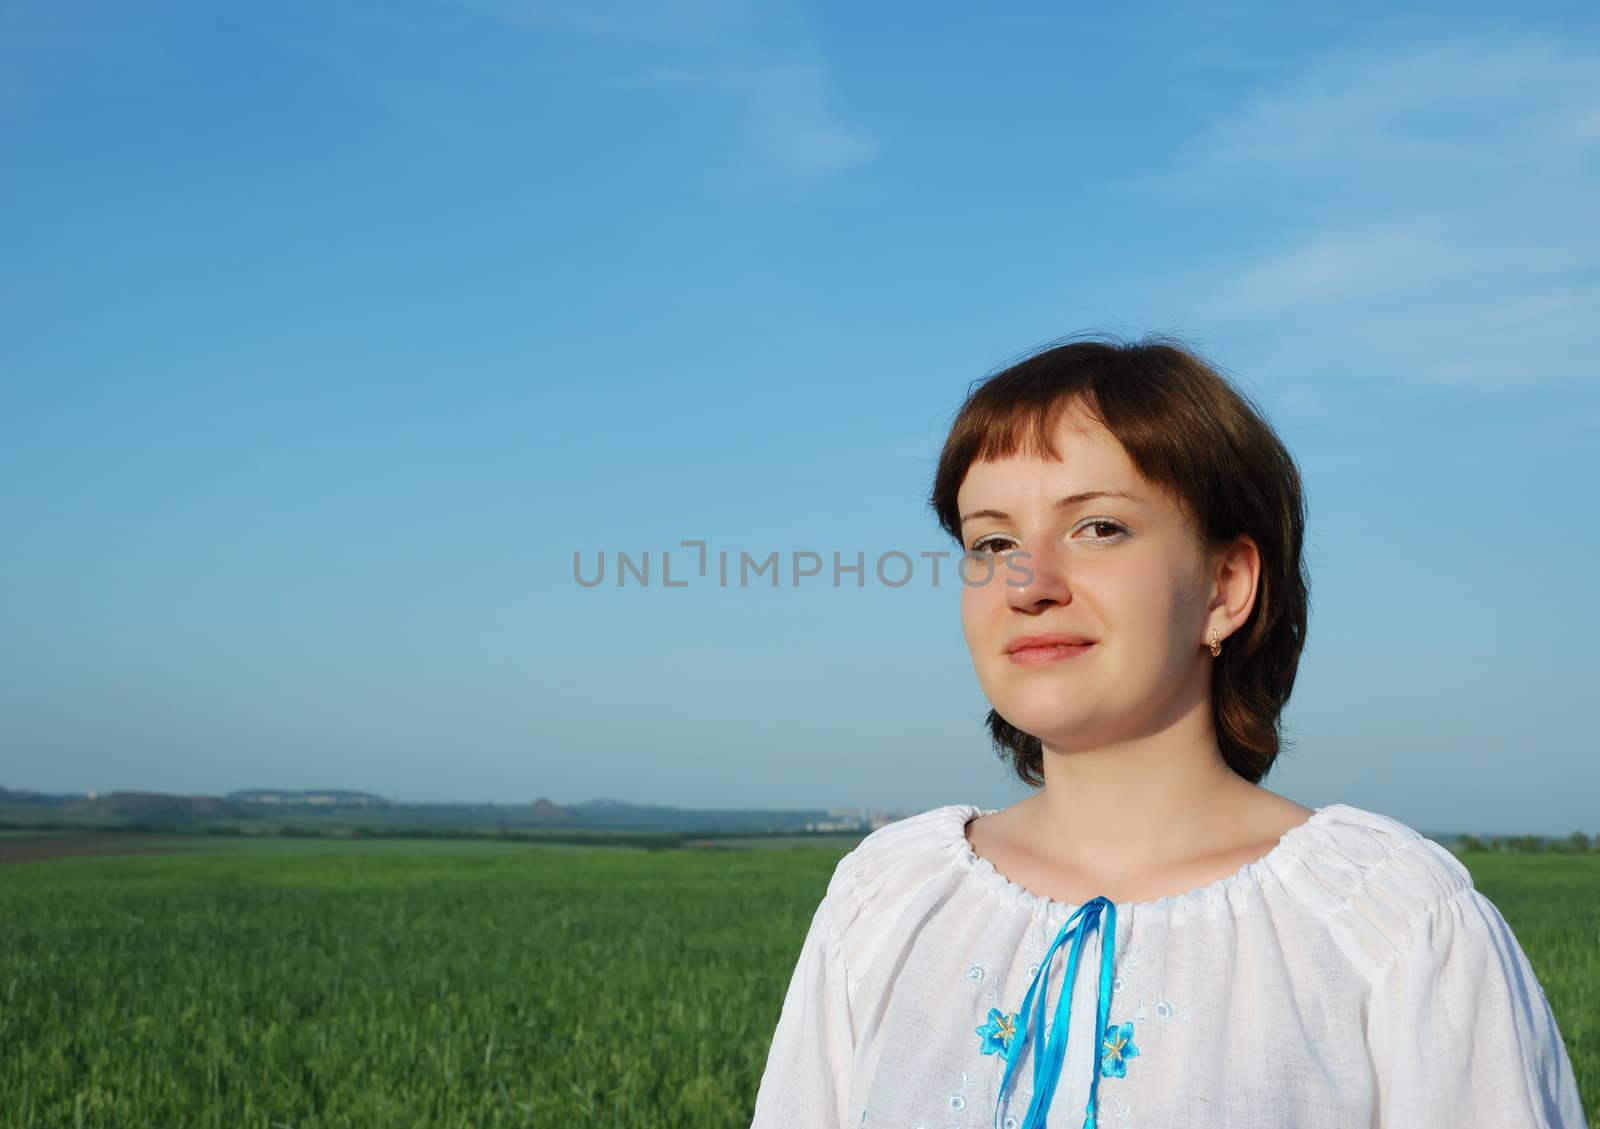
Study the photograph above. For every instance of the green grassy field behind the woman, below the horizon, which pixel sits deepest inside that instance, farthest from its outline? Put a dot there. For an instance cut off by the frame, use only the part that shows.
(476, 984)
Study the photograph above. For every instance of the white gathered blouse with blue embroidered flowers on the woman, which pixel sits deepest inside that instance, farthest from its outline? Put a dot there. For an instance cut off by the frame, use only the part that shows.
(1353, 978)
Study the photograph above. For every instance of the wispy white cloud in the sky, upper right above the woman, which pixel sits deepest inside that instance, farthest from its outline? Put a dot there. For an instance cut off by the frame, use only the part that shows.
(1454, 231)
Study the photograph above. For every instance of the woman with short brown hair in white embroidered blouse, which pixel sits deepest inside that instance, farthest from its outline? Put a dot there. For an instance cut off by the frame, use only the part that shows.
(1135, 607)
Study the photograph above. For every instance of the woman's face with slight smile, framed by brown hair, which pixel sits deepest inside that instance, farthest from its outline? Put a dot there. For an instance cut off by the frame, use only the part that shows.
(1121, 572)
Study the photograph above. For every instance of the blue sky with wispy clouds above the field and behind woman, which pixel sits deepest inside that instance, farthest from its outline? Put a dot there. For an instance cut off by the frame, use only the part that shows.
(329, 333)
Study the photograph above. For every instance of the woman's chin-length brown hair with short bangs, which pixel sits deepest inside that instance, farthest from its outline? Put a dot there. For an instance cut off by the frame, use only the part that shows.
(1190, 433)
